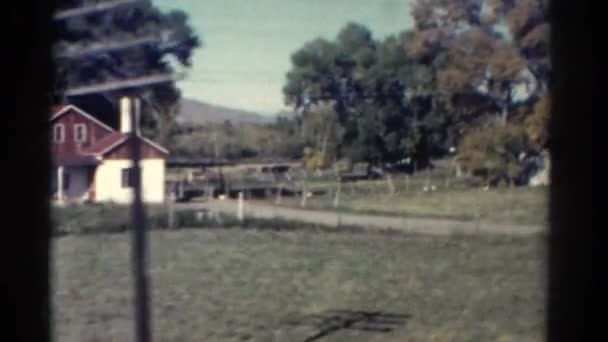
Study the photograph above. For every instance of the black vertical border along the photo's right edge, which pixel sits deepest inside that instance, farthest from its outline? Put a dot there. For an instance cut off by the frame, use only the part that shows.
(577, 240)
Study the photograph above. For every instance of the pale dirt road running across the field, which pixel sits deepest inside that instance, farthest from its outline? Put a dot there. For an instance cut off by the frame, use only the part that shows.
(335, 219)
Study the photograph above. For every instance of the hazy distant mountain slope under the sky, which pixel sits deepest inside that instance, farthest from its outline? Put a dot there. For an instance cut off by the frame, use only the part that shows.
(198, 112)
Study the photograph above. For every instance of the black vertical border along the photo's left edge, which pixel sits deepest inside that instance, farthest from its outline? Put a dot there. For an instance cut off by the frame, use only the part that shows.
(26, 250)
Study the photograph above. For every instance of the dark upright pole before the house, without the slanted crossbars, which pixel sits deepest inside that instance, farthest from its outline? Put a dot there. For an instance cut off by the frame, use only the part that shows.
(139, 249)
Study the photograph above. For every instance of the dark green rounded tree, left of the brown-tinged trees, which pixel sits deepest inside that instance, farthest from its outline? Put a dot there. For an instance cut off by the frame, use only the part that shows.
(364, 80)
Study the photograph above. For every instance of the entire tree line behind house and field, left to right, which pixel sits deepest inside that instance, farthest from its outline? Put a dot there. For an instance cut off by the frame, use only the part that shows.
(471, 76)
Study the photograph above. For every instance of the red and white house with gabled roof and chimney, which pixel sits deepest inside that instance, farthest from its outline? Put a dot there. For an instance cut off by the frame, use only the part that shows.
(92, 160)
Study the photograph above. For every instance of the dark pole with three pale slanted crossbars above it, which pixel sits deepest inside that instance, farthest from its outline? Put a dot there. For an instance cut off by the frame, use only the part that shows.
(132, 108)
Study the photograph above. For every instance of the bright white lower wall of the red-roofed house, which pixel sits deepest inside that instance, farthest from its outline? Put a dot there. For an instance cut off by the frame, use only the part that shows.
(108, 181)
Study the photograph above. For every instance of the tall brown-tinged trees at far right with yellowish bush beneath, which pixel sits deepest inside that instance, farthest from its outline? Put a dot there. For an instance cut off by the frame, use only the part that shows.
(480, 51)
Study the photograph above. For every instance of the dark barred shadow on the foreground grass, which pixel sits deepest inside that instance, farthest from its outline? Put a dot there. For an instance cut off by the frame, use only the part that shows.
(332, 321)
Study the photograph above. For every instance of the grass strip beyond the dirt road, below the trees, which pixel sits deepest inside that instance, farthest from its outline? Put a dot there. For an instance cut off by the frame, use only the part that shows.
(451, 199)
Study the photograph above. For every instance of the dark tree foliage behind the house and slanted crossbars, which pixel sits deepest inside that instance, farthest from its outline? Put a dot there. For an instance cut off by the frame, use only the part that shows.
(173, 48)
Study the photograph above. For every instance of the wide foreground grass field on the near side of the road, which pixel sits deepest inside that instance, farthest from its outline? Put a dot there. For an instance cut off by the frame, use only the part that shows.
(248, 285)
